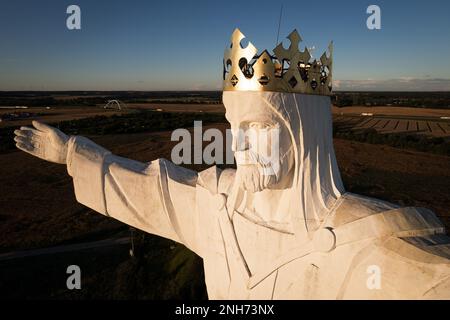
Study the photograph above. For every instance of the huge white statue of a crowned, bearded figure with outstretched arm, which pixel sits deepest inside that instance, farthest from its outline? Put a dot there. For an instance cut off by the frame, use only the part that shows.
(293, 235)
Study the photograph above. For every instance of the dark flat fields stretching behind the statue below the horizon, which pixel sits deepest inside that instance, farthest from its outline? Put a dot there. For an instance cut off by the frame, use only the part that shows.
(38, 208)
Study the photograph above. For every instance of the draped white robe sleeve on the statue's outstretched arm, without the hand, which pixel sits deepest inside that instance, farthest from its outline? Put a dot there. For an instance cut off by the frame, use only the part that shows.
(156, 197)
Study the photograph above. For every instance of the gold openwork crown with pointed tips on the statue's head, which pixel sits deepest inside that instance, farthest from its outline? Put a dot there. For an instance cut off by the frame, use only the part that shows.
(287, 70)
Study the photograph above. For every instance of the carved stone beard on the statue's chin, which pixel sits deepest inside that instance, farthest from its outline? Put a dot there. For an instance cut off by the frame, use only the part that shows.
(255, 172)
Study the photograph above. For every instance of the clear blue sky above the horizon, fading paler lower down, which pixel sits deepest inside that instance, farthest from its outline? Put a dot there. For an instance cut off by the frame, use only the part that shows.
(178, 45)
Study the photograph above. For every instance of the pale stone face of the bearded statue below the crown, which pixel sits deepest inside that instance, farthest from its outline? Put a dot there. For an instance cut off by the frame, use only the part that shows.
(262, 146)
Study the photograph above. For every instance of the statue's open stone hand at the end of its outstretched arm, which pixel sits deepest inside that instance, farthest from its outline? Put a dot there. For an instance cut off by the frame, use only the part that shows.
(44, 141)
